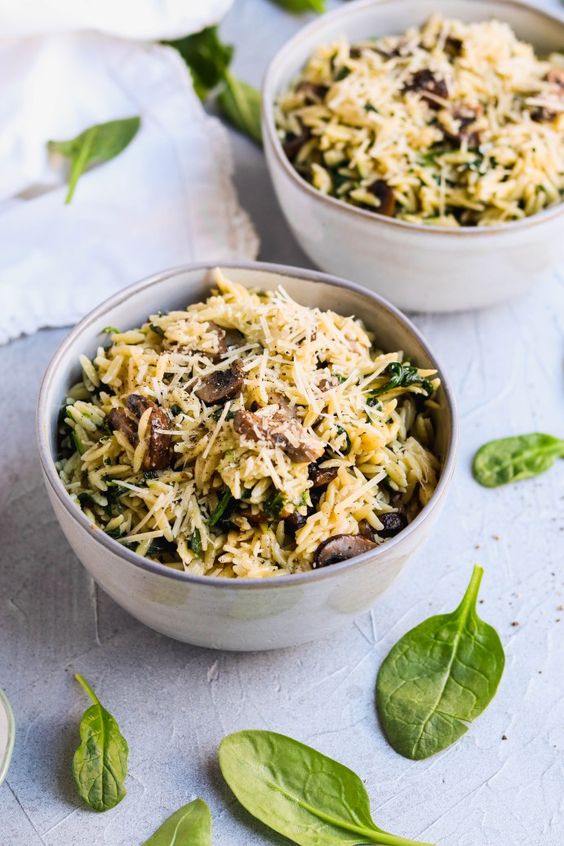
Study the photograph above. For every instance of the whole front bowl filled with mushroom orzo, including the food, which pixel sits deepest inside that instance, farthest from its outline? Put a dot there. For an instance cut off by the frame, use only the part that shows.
(244, 457)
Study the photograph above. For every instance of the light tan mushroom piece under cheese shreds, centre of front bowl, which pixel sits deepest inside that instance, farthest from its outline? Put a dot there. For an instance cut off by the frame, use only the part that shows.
(280, 430)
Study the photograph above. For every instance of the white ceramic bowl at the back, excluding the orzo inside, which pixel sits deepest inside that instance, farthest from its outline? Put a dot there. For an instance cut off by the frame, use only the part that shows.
(426, 268)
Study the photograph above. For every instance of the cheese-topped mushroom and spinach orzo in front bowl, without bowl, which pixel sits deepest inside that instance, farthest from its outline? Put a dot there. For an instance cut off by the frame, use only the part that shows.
(249, 436)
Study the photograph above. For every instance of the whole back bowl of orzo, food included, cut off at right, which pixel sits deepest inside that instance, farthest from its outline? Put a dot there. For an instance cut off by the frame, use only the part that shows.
(418, 147)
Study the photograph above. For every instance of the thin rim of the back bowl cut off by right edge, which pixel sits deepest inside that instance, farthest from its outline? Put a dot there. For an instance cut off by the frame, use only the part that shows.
(271, 138)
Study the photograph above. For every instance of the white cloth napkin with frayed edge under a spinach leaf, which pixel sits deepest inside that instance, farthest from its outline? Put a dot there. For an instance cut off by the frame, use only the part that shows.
(167, 199)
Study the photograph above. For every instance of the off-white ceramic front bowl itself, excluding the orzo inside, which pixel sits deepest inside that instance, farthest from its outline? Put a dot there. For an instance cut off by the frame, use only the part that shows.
(251, 614)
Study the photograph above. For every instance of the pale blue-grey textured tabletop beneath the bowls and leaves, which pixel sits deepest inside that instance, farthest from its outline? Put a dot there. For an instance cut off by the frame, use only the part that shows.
(501, 785)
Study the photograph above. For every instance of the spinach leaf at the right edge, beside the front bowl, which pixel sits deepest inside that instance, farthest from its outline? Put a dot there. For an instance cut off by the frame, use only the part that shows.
(520, 457)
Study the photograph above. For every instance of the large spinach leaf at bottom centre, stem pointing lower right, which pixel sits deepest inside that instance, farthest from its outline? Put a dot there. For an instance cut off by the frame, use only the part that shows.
(300, 793)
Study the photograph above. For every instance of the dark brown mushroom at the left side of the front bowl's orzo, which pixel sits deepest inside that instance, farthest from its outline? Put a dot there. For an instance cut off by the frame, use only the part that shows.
(159, 453)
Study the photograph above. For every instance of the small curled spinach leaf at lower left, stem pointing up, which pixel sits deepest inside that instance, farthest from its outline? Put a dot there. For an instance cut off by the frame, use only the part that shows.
(100, 763)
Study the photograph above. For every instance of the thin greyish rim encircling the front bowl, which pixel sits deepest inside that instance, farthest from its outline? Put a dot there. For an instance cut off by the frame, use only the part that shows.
(43, 431)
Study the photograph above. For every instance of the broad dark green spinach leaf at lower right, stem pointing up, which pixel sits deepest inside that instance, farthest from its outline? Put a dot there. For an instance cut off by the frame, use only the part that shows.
(439, 677)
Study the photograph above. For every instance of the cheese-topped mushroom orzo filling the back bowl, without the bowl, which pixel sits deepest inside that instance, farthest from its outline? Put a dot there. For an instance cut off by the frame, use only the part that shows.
(451, 124)
